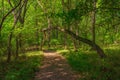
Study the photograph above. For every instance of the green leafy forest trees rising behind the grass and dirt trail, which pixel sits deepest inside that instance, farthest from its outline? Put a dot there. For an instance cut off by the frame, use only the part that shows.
(22, 22)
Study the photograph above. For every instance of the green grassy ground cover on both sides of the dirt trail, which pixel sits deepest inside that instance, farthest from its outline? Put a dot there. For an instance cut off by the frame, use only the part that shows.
(85, 62)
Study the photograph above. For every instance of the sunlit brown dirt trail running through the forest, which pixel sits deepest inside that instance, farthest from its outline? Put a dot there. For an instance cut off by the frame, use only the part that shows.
(55, 67)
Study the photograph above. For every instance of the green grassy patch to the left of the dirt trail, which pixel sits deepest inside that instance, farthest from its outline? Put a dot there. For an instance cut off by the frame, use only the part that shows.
(23, 68)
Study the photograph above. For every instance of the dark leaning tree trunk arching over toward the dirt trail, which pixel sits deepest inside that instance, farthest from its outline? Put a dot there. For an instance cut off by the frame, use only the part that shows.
(84, 40)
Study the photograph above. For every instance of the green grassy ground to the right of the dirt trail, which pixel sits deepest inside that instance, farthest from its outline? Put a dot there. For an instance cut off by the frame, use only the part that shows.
(91, 67)
